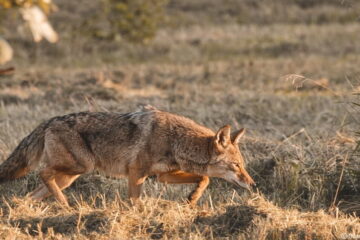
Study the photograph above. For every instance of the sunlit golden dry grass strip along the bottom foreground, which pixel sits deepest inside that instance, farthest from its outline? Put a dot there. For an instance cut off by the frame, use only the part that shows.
(236, 218)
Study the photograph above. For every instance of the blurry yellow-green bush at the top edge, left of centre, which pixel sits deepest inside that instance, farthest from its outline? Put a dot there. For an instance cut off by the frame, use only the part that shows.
(134, 20)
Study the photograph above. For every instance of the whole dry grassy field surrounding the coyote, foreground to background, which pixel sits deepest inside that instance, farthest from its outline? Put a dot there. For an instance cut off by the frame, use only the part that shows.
(287, 71)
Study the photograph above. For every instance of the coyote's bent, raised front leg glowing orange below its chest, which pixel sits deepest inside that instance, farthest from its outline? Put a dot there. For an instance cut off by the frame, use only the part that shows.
(183, 177)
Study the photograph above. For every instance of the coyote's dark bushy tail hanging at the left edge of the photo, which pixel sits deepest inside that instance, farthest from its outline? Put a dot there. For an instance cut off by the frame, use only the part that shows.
(25, 157)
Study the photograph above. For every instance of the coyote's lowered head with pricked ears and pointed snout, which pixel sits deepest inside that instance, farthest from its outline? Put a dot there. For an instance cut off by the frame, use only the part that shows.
(226, 160)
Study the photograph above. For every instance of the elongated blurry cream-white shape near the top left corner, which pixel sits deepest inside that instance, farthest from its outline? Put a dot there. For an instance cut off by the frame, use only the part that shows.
(39, 24)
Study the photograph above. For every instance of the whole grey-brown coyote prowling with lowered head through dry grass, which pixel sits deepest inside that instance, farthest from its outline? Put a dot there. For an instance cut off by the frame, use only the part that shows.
(148, 142)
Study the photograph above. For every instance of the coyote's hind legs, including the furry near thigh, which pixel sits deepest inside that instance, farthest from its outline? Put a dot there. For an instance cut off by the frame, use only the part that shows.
(66, 155)
